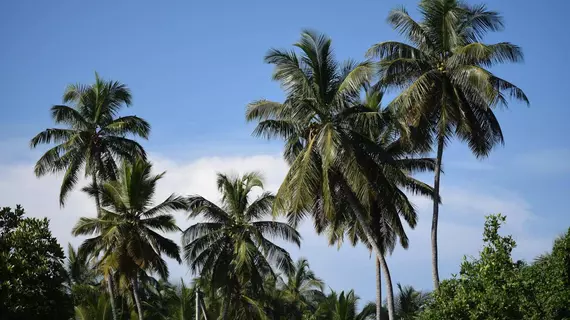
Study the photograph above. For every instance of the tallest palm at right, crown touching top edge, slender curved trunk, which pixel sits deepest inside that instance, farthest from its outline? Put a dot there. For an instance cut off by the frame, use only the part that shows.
(446, 86)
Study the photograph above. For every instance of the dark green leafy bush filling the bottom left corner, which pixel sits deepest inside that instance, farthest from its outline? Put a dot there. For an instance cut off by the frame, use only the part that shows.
(32, 275)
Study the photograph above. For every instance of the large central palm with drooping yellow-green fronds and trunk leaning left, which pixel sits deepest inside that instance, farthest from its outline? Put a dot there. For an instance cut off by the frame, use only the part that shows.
(323, 149)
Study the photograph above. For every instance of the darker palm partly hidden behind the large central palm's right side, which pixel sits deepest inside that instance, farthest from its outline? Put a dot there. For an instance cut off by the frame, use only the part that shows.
(389, 205)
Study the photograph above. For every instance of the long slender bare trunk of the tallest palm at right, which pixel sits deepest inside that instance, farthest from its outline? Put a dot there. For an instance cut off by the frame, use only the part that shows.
(435, 217)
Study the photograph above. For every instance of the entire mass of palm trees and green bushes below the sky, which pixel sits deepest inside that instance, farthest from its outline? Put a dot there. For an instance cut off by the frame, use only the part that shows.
(351, 161)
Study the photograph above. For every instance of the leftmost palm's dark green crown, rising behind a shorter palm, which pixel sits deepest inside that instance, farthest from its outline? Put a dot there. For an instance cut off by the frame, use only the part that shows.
(93, 137)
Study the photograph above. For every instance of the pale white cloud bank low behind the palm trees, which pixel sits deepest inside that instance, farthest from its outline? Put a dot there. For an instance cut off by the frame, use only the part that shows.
(461, 222)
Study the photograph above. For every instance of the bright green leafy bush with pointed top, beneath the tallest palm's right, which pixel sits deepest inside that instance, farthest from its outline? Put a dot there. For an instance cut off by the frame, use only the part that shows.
(490, 287)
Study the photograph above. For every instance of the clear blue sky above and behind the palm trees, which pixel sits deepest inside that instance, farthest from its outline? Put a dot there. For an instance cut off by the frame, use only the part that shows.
(194, 65)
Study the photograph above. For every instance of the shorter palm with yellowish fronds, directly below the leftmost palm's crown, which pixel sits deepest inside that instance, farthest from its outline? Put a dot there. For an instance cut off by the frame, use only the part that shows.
(126, 233)
